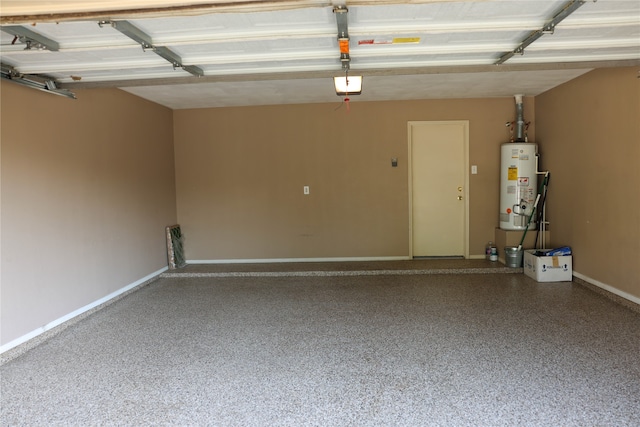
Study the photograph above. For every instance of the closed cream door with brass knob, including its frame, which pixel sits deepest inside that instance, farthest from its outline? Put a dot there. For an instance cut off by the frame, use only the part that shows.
(438, 188)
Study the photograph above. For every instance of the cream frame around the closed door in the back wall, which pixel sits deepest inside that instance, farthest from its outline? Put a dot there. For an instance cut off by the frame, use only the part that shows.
(465, 123)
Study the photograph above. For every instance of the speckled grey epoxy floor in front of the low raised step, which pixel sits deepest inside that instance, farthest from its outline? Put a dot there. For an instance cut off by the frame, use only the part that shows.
(372, 350)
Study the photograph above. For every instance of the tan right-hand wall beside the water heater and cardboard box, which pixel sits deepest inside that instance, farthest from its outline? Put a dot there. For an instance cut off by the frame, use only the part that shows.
(589, 137)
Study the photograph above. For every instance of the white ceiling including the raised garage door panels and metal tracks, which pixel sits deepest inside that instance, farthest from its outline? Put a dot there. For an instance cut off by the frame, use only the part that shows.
(200, 54)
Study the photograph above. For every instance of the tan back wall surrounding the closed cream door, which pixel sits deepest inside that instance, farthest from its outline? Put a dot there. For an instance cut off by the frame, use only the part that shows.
(240, 174)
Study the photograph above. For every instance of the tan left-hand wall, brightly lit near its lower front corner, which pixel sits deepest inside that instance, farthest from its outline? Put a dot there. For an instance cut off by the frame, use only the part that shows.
(87, 189)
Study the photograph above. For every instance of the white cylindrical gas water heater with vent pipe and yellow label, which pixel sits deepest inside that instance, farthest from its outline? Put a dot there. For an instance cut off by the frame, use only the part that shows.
(518, 179)
